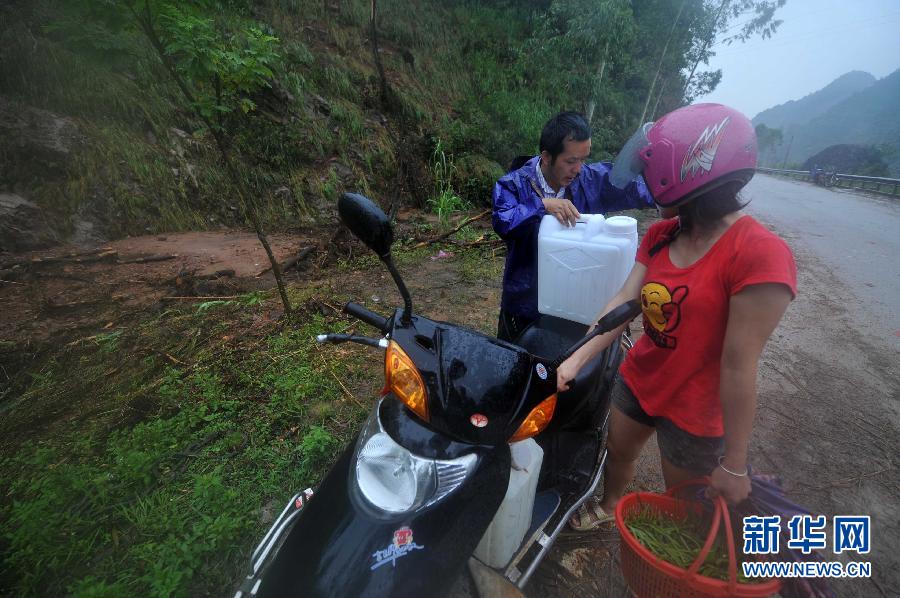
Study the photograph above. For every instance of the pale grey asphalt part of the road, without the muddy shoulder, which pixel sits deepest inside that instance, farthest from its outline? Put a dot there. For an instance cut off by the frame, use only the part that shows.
(857, 235)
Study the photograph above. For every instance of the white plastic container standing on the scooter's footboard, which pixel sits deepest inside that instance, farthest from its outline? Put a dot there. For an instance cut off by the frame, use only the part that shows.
(507, 530)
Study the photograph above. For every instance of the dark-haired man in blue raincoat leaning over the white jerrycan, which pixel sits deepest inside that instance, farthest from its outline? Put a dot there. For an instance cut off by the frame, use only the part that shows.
(556, 182)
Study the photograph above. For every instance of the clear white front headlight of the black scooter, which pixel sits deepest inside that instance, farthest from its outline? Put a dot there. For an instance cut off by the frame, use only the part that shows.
(395, 480)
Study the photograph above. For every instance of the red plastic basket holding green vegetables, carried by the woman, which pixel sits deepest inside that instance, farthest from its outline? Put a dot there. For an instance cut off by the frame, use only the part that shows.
(649, 576)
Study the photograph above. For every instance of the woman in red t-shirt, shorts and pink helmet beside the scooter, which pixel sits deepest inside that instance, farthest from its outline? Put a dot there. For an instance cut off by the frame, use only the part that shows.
(713, 284)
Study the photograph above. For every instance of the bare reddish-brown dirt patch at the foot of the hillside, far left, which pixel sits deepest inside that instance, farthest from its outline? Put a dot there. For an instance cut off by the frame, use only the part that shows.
(50, 302)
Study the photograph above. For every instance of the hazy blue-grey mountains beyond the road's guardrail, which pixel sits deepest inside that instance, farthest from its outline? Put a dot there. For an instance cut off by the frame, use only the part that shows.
(869, 117)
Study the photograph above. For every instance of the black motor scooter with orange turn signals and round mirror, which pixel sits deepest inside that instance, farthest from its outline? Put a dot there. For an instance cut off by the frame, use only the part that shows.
(404, 507)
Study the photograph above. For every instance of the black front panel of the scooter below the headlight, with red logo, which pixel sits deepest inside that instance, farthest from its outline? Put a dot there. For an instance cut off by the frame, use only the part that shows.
(340, 547)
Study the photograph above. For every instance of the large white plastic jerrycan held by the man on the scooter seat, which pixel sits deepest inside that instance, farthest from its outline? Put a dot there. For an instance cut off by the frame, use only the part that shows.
(580, 268)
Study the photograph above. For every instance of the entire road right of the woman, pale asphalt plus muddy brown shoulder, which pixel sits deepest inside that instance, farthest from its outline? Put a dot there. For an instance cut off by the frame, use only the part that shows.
(828, 418)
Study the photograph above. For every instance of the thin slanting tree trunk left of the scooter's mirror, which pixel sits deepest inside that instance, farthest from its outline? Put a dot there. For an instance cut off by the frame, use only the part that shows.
(247, 202)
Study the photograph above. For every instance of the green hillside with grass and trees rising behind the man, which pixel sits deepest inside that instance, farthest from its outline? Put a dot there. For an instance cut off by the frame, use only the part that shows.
(470, 85)
